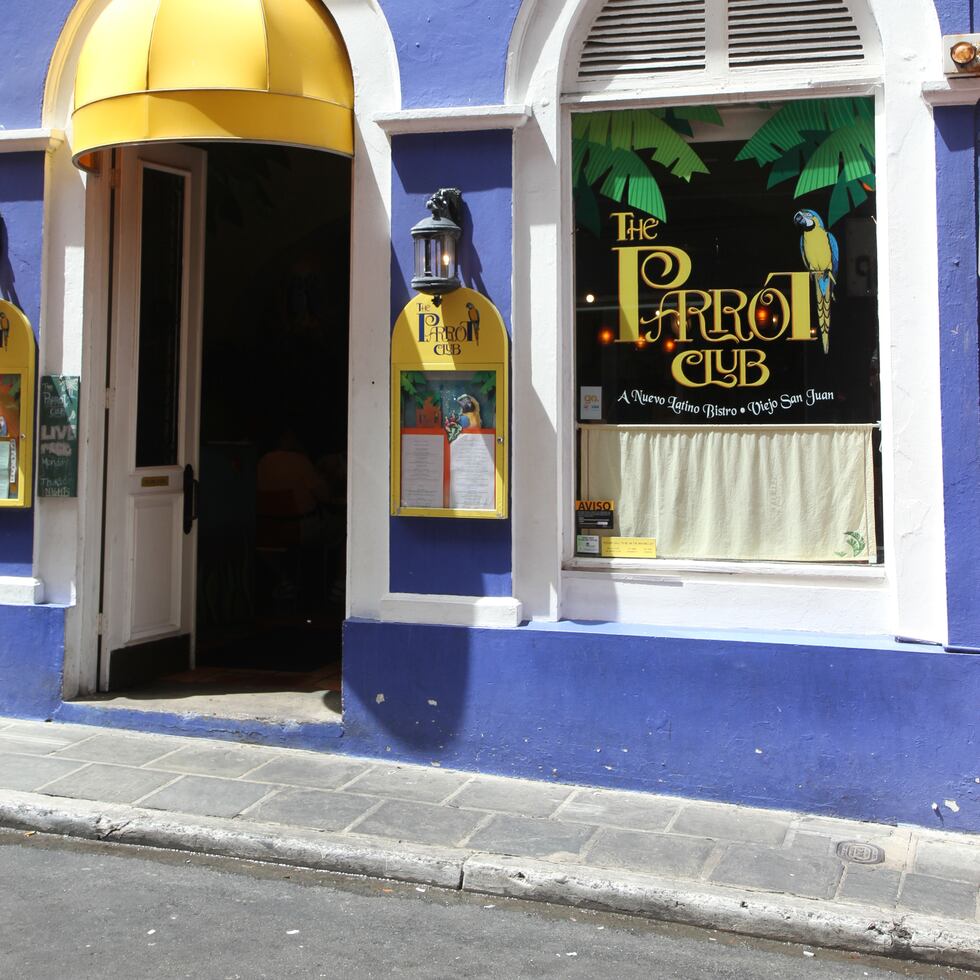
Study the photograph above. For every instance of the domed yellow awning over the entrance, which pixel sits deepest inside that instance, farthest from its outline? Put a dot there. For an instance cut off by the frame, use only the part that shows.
(262, 70)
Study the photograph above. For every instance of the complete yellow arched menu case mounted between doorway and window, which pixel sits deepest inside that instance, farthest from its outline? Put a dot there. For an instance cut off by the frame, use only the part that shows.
(449, 408)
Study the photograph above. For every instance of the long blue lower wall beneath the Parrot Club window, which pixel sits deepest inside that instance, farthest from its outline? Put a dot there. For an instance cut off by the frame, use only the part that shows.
(874, 731)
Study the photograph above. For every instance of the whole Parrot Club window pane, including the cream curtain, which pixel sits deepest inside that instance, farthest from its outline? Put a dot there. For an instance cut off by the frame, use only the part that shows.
(727, 332)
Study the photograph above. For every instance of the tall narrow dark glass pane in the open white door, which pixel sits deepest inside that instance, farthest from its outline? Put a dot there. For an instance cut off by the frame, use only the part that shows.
(161, 277)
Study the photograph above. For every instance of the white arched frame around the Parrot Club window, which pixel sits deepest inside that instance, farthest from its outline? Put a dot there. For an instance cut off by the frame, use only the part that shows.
(906, 595)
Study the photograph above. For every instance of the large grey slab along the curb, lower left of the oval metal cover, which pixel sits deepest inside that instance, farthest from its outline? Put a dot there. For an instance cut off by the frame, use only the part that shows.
(768, 869)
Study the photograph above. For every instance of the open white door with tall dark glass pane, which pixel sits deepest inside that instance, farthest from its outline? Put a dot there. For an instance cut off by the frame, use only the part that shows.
(155, 366)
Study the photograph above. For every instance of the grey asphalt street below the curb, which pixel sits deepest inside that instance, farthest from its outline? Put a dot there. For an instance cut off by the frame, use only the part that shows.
(75, 909)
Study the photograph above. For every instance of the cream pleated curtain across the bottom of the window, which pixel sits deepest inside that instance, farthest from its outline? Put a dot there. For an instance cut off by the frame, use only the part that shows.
(776, 493)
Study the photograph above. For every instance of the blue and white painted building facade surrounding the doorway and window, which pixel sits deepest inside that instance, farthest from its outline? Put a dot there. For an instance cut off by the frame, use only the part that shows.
(495, 645)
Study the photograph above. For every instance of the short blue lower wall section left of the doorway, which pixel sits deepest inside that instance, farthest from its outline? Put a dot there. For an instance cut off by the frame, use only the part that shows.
(32, 659)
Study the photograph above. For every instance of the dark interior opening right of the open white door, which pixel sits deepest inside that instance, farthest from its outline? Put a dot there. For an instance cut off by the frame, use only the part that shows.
(272, 519)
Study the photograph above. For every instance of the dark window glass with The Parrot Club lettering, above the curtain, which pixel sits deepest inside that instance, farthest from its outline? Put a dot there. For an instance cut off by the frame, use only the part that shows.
(726, 274)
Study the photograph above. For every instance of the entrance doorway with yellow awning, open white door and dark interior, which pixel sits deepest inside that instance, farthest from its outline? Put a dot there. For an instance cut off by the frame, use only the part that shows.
(255, 284)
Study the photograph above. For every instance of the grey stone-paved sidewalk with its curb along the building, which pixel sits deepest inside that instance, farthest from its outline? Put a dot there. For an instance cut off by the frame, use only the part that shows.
(777, 874)
